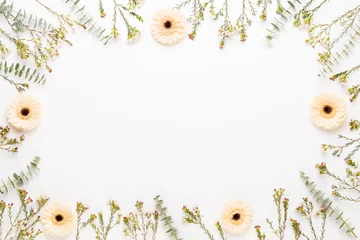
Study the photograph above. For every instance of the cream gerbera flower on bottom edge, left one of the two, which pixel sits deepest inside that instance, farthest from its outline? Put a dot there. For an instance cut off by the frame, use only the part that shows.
(58, 220)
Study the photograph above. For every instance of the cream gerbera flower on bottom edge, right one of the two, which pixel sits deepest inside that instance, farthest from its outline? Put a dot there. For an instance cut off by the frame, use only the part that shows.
(237, 217)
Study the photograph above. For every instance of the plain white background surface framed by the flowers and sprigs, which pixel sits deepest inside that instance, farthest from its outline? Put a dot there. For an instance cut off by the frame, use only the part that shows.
(195, 124)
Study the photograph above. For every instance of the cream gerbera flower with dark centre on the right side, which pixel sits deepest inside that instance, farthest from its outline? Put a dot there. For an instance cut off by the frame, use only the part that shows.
(327, 111)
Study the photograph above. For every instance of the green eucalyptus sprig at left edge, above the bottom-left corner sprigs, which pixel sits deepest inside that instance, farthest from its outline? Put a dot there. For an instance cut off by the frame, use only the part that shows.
(18, 179)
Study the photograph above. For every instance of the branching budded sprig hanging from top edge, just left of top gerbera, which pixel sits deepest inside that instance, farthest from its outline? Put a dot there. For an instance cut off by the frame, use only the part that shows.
(133, 33)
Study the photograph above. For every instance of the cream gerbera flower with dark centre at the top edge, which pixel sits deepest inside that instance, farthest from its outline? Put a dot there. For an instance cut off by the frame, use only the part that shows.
(168, 26)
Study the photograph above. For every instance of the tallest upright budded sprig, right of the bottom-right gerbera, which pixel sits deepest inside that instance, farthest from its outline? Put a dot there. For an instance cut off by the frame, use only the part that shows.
(282, 205)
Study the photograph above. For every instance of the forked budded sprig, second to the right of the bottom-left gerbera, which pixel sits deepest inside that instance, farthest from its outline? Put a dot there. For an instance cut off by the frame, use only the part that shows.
(100, 227)
